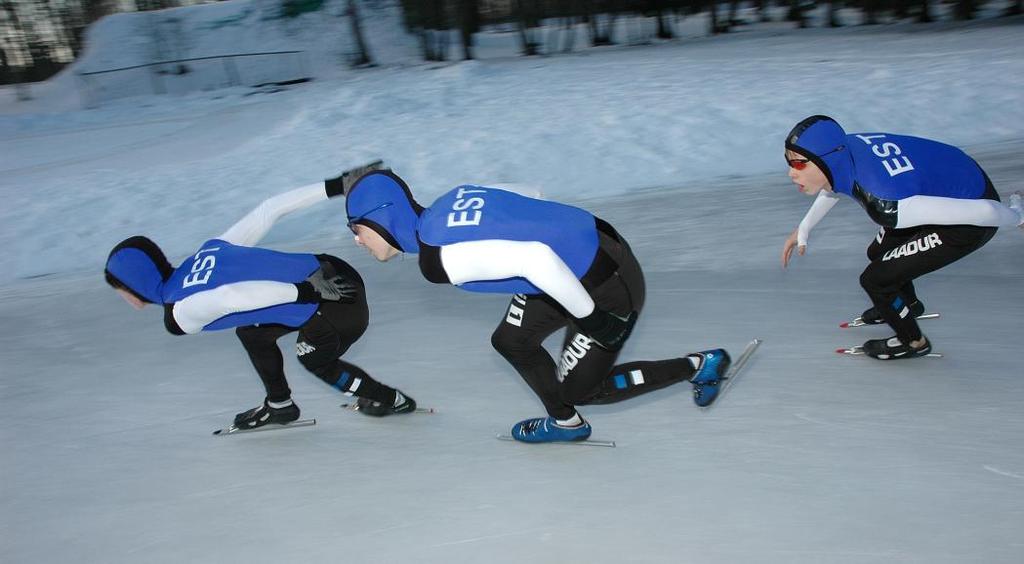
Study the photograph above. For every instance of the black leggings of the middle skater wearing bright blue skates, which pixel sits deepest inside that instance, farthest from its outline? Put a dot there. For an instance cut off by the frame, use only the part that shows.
(586, 373)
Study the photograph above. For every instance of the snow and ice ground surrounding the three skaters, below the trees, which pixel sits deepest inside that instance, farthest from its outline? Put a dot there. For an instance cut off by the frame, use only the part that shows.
(813, 458)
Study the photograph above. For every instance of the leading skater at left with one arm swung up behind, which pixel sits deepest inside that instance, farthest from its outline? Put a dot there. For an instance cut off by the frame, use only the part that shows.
(265, 295)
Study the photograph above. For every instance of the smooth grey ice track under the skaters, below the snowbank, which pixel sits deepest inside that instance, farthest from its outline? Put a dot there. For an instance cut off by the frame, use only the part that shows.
(812, 458)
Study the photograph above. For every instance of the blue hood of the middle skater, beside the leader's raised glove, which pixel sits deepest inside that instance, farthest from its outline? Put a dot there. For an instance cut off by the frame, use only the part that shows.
(382, 202)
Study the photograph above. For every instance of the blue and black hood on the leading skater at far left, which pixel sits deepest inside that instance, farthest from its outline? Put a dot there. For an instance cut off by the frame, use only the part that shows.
(140, 267)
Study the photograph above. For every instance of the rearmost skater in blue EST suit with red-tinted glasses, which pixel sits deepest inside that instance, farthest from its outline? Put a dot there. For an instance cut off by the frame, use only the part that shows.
(934, 205)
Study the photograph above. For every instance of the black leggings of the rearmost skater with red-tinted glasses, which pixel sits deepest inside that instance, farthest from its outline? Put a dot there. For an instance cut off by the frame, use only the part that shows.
(900, 256)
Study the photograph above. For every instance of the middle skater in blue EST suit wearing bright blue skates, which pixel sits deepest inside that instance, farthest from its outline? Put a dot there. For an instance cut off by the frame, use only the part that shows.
(565, 268)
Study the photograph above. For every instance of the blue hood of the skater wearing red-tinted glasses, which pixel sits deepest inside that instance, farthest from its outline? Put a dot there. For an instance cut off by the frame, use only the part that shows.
(824, 143)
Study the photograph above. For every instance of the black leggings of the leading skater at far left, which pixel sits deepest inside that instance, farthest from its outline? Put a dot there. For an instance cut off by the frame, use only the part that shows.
(321, 342)
